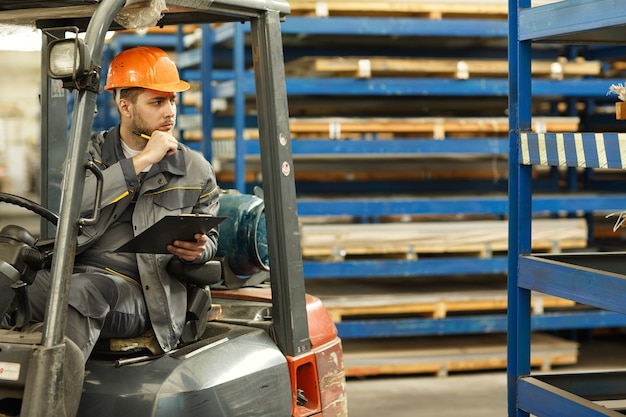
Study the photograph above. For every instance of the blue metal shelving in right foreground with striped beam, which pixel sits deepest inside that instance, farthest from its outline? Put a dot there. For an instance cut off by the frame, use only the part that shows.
(592, 279)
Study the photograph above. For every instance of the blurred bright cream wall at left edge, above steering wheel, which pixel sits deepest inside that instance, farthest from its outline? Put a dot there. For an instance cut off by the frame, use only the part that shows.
(20, 87)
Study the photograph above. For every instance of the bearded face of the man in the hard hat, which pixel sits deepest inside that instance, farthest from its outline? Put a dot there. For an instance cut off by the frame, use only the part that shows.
(154, 110)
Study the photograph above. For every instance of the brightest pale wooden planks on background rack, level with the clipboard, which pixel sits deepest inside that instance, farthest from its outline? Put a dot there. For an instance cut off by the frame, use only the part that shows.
(414, 238)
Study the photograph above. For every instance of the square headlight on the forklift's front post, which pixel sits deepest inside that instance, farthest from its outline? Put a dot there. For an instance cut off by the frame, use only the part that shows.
(67, 59)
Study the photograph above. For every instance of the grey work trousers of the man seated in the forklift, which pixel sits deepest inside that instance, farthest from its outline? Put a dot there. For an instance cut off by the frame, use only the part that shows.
(100, 304)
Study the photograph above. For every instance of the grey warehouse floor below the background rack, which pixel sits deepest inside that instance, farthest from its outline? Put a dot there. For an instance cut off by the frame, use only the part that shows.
(469, 394)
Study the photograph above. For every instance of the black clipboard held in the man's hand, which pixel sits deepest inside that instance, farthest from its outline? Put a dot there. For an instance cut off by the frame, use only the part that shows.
(170, 228)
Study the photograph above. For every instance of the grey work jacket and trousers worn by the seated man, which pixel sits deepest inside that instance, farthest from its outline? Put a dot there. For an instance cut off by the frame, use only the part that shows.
(119, 297)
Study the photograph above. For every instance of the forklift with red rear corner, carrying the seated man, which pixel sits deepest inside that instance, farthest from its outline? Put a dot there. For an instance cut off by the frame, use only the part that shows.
(251, 348)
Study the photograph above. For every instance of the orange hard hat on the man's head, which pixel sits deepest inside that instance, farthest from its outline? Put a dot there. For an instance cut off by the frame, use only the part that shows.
(146, 67)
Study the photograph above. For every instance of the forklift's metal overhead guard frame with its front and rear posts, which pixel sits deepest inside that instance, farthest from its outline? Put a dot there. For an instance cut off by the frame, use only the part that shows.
(64, 172)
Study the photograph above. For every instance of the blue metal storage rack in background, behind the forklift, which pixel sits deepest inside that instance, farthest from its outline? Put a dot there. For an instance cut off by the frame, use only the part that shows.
(375, 206)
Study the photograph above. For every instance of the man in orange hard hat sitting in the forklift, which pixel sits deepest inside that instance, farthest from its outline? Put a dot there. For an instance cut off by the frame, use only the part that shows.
(147, 175)
